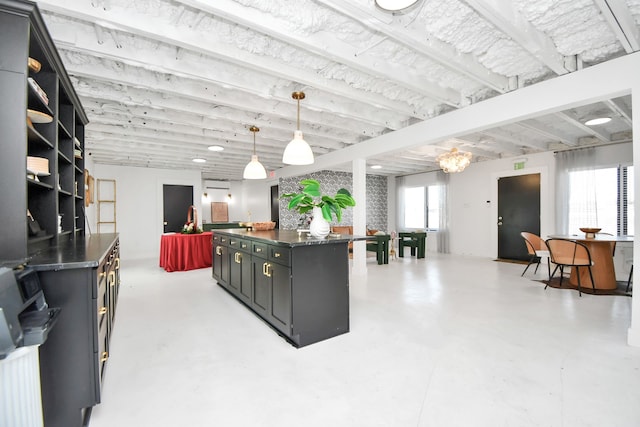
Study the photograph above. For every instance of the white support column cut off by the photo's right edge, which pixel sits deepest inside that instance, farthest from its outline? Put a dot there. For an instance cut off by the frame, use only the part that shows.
(633, 335)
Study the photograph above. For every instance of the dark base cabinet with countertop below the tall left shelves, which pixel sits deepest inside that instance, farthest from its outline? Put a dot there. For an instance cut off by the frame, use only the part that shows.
(81, 277)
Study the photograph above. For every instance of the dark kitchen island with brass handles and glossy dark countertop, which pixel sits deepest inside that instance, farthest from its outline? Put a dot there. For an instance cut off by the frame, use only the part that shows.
(298, 284)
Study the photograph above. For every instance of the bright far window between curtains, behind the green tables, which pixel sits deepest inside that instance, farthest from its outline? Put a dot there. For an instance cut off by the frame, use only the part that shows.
(422, 207)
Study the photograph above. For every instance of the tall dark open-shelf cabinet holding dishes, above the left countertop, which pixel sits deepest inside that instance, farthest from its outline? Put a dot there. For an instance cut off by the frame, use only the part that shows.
(56, 133)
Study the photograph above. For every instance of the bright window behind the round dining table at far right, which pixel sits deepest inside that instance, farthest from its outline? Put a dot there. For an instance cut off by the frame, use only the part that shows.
(602, 198)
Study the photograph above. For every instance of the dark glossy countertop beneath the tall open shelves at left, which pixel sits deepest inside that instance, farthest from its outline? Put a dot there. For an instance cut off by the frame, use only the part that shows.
(83, 252)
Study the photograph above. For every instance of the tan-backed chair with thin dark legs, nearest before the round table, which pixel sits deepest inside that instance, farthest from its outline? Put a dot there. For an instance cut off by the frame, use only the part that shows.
(569, 253)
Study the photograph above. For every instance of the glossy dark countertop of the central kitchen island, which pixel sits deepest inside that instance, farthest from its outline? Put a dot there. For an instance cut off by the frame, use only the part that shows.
(289, 238)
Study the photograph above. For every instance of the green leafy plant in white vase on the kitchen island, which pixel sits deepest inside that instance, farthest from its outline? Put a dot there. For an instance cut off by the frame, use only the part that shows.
(324, 207)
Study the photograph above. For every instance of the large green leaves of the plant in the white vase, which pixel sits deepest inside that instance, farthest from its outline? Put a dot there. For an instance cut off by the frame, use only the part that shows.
(310, 197)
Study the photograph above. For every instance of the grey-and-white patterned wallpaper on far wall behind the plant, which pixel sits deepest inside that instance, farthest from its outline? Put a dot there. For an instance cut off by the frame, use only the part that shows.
(330, 183)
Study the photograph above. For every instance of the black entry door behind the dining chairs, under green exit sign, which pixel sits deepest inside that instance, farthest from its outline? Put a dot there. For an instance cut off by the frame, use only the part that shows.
(518, 210)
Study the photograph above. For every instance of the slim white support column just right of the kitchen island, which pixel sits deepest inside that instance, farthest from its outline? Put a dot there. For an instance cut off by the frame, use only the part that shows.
(359, 172)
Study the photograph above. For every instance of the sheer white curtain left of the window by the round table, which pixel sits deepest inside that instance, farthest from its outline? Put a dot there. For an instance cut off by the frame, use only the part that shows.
(568, 161)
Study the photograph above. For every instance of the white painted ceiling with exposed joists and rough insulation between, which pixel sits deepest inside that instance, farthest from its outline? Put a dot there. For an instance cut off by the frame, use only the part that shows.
(161, 80)
